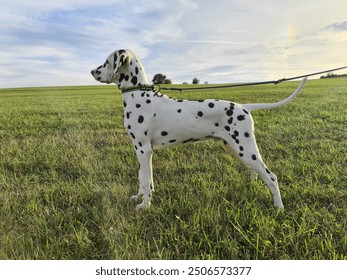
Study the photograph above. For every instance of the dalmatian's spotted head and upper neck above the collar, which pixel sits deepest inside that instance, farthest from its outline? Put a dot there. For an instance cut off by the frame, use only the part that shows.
(123, 68)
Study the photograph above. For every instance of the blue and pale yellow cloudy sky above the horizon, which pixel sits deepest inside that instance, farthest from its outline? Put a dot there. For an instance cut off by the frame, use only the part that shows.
(57, 43)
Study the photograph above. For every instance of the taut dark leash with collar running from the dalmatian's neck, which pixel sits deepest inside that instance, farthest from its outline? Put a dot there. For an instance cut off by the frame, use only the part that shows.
(157, 88)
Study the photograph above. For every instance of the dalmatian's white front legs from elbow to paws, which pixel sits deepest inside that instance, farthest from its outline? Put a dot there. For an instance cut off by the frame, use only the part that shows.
(145, 178)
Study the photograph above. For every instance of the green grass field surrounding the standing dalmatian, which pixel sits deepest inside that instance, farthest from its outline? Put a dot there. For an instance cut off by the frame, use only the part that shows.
(67, 170)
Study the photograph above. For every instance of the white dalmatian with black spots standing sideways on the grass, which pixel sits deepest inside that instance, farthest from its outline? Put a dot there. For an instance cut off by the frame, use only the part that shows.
(154, 120)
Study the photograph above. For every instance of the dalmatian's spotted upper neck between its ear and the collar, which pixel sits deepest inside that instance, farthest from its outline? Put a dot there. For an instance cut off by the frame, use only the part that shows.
(131, 74)
